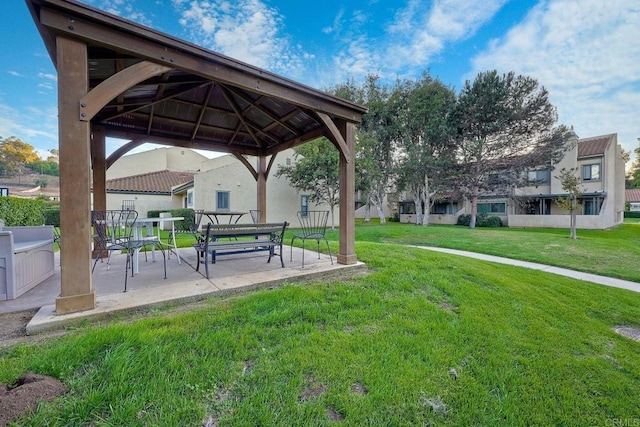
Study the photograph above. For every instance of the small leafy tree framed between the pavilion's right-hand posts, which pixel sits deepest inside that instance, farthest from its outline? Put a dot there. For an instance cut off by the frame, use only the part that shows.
(316, 170)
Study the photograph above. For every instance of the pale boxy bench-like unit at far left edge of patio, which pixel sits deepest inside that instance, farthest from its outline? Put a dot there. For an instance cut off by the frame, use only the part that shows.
(26, 258)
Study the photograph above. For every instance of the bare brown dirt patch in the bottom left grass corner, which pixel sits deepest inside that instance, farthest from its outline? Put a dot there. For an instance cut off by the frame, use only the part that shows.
(24, 395)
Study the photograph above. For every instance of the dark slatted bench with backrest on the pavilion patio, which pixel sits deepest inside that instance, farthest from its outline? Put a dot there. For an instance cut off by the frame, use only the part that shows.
(228, 239)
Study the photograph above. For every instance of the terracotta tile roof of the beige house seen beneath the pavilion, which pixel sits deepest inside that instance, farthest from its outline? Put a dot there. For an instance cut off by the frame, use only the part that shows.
(153, 182)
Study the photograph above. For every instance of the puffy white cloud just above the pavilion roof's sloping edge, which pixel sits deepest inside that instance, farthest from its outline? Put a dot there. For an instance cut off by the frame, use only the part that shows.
(247, 30)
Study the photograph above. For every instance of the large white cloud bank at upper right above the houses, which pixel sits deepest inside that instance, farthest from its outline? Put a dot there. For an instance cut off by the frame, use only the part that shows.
(587, 55)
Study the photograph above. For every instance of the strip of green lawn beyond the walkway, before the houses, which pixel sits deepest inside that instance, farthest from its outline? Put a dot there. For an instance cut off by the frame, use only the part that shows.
(614, 252)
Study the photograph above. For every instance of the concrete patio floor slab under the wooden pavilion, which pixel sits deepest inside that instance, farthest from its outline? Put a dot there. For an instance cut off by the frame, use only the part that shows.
(232, 273)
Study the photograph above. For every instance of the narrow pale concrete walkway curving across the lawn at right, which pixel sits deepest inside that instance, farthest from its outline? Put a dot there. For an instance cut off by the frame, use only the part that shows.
(602, 280)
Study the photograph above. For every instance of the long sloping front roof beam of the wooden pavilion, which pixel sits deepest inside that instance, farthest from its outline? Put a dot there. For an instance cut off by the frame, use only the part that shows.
(144, 43)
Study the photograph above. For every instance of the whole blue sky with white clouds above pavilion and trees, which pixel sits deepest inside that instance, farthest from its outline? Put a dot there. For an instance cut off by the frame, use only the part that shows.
(585, 52)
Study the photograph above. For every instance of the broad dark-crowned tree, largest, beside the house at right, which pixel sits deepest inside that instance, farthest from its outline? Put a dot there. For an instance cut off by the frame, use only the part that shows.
(505, 126)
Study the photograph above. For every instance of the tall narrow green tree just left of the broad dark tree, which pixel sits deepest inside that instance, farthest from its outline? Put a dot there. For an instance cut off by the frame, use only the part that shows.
(427, 150)
